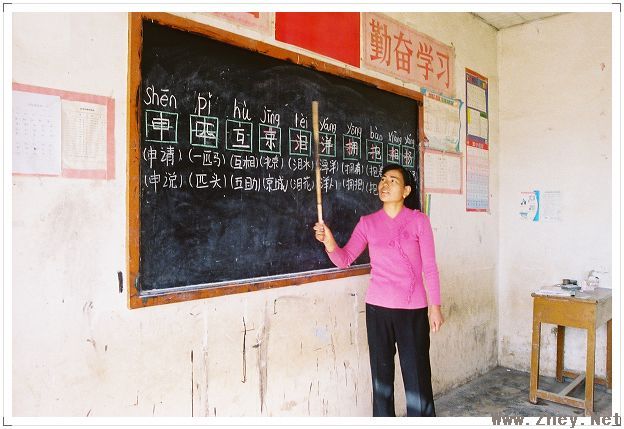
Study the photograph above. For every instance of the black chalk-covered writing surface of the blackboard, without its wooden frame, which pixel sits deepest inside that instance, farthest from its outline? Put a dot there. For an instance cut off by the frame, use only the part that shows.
(226, 189)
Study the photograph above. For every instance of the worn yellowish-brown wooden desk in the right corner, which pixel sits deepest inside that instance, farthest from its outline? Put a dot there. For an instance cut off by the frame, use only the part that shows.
(587, 310)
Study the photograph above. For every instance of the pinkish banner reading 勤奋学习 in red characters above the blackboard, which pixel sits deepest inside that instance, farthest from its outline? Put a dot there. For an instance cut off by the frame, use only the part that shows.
(395, 49)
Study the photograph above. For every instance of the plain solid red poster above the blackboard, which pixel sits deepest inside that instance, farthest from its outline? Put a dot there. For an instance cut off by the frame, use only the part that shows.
(333, 34)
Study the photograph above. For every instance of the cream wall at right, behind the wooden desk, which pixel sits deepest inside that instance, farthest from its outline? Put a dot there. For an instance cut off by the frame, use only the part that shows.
(555, 133)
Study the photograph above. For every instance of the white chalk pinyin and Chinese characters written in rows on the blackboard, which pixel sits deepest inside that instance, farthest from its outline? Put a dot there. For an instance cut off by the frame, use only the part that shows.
(263, 151)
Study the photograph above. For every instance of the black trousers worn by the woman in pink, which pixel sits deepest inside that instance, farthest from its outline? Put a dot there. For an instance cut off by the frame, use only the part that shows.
(409, 330)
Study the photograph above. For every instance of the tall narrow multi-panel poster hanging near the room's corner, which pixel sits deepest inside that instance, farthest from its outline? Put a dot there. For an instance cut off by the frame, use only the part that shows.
(477, 143)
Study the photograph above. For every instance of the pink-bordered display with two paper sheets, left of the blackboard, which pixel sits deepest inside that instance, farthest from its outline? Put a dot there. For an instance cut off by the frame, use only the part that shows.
(62, 133)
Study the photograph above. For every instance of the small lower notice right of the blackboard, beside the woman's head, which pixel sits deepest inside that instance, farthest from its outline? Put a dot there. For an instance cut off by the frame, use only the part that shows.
(443, 172)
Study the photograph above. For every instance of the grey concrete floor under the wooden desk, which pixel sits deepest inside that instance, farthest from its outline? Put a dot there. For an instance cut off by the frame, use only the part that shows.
(504, 391)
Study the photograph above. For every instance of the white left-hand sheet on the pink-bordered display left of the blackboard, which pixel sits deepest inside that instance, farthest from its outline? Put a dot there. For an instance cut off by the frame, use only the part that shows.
(36, 133)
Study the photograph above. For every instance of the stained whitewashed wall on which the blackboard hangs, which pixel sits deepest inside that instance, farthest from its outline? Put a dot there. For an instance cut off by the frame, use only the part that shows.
(78, 350)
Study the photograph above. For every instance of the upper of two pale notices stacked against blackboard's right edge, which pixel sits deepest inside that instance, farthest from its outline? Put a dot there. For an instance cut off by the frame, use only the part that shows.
(442, 123)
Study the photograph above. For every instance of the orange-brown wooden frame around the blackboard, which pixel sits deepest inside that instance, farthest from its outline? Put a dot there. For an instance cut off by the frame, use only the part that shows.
(136, 299)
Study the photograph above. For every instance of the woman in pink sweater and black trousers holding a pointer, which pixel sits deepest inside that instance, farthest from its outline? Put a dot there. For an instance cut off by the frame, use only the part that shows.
(401, 309)
